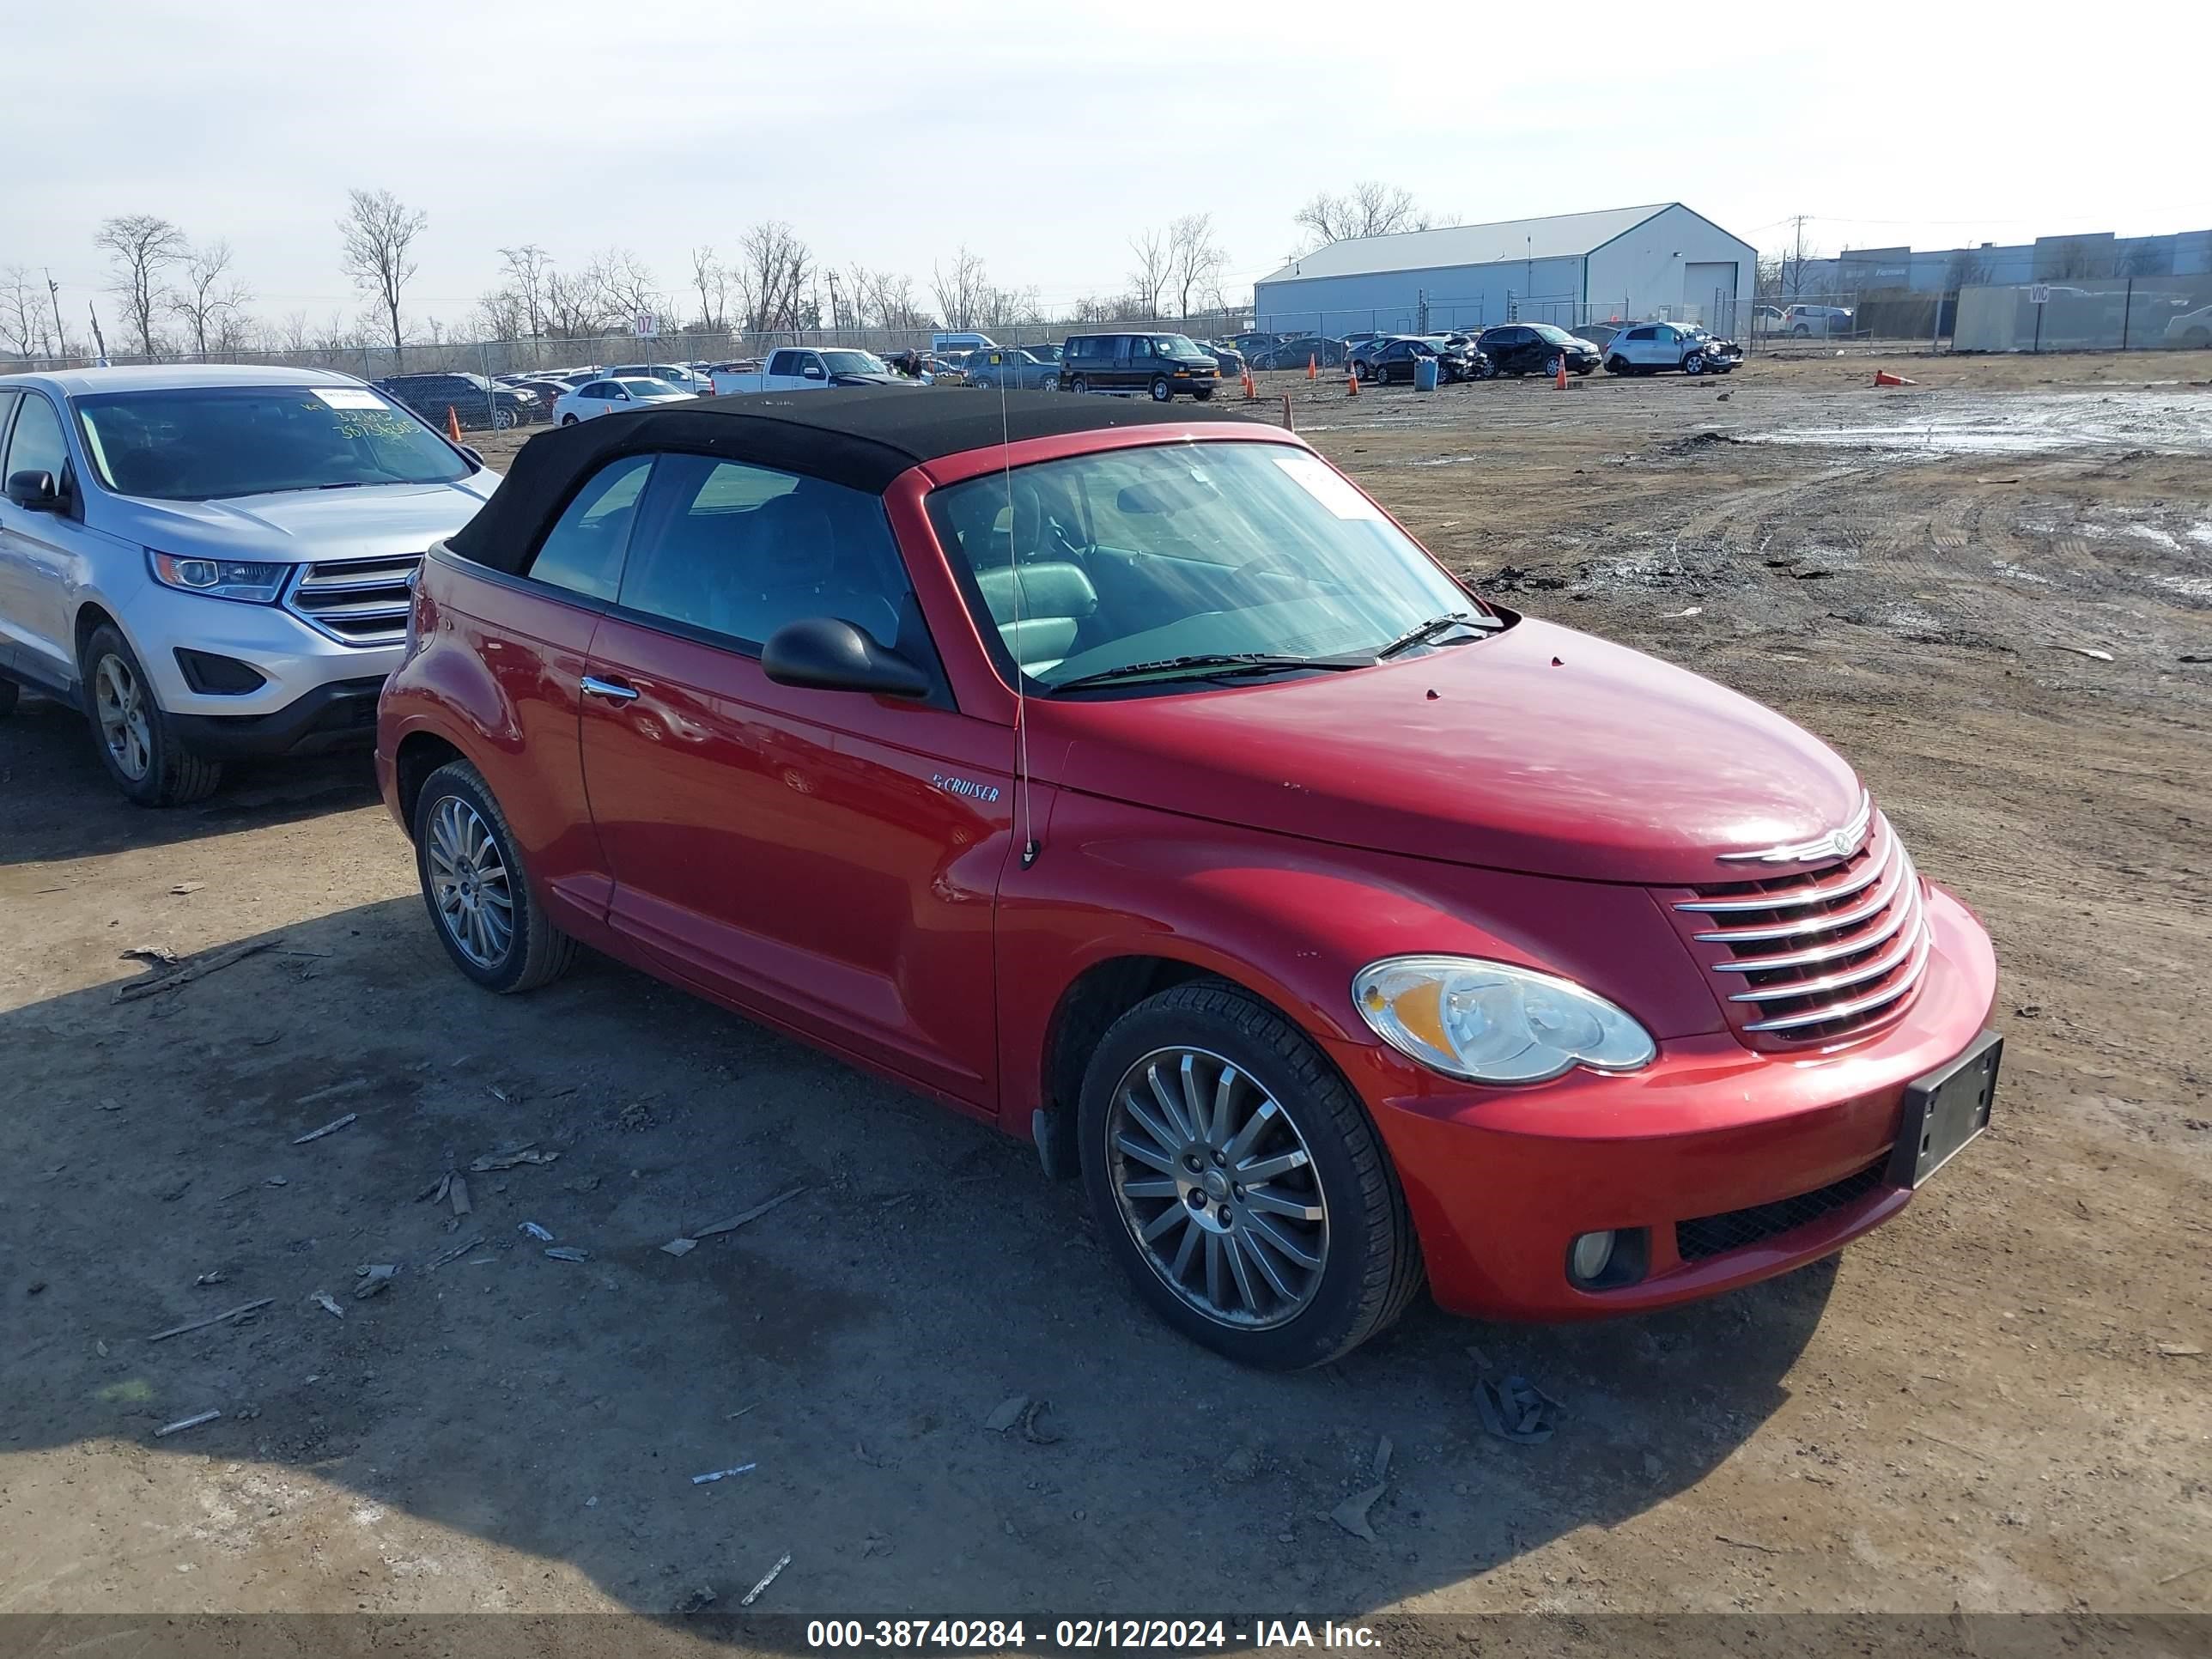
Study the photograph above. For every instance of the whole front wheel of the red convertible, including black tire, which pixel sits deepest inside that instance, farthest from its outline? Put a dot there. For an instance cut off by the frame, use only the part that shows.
(1368, 1255)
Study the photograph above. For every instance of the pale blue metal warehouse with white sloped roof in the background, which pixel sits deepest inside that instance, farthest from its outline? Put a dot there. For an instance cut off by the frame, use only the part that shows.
(1660, 262)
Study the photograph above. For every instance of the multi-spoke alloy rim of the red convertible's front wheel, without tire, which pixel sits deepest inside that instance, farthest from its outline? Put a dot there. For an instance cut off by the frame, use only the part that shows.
(1218, 1189)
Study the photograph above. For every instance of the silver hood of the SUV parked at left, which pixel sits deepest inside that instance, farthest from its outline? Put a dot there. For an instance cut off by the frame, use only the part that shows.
(311, 523)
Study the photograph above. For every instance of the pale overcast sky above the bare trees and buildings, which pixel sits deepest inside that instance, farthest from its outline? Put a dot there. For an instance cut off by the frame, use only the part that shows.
(1045, 134)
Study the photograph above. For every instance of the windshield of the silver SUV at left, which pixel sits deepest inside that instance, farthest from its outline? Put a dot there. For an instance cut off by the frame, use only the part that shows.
(209, 444)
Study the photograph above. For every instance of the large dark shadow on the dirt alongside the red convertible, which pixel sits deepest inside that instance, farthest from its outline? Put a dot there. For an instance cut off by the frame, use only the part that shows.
(855, 1344)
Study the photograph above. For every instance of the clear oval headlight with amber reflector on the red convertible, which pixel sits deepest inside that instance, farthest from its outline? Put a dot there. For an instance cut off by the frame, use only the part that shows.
(1492, 1023)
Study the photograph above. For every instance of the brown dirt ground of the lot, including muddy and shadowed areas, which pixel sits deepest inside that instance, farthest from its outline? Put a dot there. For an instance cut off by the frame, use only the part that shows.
(1996, 1404)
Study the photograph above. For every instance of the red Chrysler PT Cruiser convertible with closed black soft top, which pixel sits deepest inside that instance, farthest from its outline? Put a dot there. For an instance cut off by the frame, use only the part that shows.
(1129, 780)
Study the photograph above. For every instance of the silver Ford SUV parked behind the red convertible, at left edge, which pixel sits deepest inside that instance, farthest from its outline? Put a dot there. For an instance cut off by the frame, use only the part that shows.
(216, 561)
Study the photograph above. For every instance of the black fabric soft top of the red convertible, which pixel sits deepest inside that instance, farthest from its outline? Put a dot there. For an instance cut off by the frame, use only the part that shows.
(862, 439)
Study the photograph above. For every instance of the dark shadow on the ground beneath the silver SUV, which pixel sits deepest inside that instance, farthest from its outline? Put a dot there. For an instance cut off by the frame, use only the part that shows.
(63, 804)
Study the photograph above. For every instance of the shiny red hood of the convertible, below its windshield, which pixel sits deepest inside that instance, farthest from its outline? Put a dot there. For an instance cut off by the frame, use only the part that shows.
(1541, 751)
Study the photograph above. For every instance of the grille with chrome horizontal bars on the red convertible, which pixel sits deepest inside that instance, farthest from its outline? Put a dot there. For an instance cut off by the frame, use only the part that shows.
(1822, 954)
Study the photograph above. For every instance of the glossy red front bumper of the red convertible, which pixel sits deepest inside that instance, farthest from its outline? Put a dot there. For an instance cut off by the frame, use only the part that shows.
(1501, 1182)
